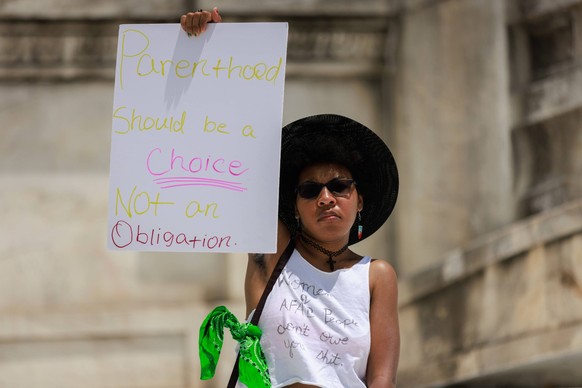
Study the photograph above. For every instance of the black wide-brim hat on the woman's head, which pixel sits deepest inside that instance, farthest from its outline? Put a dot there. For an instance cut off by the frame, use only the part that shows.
(338, 139)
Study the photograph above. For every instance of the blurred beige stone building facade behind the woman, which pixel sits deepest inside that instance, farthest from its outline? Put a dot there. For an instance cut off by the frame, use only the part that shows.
(481, 104)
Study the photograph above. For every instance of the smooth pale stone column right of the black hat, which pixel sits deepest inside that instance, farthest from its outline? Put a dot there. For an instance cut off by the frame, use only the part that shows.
(451, 128)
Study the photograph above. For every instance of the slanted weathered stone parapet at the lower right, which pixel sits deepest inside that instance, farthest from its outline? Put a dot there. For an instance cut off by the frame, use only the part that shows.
(506, 310)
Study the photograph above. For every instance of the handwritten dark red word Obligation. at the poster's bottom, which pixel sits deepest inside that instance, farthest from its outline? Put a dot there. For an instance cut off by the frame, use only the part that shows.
(124, 234)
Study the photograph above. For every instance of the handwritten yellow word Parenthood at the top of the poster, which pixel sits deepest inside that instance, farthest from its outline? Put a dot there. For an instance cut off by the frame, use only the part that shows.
(143, 64)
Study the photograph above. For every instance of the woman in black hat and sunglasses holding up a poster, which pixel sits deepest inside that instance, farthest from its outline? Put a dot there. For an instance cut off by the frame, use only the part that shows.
(331, 319)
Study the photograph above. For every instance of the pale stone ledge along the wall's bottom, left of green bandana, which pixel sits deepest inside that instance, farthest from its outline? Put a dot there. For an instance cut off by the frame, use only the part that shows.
(137, 346)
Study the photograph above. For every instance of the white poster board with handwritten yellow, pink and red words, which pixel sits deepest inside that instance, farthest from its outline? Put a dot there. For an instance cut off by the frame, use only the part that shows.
(196, 136)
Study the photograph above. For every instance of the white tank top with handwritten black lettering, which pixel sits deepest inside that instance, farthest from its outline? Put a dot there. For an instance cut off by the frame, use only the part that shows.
(316, 326)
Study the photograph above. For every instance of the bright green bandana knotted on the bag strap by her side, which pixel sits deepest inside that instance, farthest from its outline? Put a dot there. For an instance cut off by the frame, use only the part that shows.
(253, 371)
